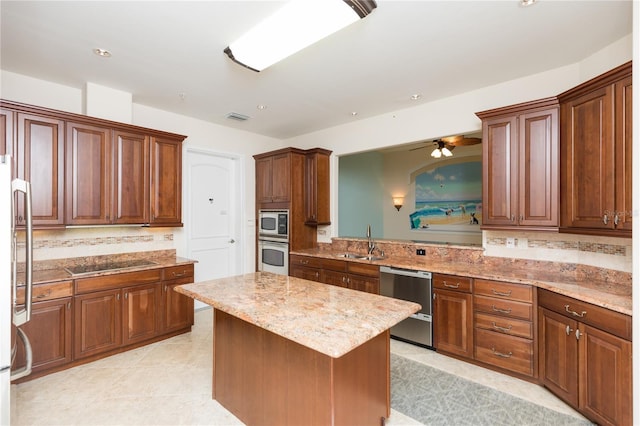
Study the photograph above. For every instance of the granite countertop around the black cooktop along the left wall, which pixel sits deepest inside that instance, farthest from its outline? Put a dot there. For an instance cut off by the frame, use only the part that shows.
(55, 271)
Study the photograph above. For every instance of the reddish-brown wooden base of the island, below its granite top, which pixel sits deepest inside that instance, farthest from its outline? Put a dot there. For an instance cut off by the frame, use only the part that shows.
(265, 379)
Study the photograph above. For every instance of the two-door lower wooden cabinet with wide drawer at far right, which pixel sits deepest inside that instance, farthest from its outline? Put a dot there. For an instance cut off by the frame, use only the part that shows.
(585, 357)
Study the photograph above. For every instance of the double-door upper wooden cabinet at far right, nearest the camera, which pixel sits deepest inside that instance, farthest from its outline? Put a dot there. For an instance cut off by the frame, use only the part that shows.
(595, 144)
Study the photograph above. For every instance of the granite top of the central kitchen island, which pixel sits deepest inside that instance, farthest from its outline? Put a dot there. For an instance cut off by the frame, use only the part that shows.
(328, 319)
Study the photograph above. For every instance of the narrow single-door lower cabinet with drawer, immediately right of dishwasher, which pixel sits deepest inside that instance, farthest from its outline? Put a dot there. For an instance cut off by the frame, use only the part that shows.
(453, 315)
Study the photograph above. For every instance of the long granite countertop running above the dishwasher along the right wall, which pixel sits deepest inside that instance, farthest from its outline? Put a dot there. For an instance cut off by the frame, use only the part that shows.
(589, 290)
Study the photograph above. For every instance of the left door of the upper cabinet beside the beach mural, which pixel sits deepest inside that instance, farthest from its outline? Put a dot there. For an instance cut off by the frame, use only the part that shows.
(500, 171)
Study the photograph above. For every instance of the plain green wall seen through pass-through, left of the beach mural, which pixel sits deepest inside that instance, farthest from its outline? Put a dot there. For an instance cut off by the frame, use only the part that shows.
(360, 195)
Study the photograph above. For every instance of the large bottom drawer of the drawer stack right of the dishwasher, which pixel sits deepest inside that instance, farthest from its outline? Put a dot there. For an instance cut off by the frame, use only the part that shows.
(508, 352)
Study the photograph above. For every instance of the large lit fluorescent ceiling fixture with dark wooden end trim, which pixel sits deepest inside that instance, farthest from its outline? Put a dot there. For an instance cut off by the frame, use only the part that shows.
(295, 26)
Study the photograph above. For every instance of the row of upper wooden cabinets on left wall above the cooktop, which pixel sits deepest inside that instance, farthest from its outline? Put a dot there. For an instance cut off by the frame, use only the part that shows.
(89, 171)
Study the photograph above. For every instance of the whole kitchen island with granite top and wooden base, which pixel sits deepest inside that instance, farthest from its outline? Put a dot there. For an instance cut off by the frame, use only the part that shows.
(289, 351)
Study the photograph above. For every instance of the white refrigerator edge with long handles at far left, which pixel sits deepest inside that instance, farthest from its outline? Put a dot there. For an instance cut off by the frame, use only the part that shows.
(9, 313)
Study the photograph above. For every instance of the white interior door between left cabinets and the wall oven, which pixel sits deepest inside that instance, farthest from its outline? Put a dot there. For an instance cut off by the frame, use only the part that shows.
(213, 225)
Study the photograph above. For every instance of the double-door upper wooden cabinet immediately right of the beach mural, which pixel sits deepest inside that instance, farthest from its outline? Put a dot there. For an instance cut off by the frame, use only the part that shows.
(520, 166)
